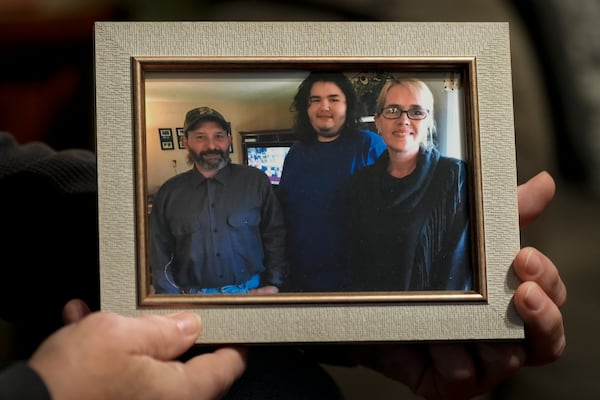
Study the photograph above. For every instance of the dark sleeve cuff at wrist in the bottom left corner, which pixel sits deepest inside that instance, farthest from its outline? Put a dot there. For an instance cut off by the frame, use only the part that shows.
(19, 381)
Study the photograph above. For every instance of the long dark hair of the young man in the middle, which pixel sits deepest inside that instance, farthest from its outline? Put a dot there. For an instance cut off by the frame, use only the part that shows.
(302, 126)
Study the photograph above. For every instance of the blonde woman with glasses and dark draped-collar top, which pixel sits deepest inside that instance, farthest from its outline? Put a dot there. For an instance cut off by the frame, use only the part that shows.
(410, 215)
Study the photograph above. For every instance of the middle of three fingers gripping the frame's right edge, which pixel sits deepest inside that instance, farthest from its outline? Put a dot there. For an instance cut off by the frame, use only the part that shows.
(532, 265)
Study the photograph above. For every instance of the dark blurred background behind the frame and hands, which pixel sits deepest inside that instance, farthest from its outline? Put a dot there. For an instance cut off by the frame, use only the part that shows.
(47, 94)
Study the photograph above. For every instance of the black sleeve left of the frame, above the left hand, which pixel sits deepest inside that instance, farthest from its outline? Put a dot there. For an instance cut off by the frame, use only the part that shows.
(48, 225)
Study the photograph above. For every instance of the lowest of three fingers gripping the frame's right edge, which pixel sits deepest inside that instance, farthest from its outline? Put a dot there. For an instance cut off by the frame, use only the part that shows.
(544, 331)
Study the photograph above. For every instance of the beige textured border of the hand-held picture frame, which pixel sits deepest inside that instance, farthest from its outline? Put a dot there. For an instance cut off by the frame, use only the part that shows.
(488, 43)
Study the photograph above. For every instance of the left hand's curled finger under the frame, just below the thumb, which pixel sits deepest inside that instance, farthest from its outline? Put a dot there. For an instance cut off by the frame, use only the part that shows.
(213, 374)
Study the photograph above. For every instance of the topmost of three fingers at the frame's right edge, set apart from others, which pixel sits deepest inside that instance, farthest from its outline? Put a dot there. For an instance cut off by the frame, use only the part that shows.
(534, 196)
